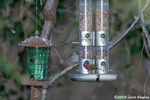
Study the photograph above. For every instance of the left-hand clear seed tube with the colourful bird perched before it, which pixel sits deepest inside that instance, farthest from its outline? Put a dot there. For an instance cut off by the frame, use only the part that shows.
(87, 37)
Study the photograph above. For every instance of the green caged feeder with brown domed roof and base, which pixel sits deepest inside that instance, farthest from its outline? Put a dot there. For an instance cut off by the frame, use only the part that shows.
(36, 61)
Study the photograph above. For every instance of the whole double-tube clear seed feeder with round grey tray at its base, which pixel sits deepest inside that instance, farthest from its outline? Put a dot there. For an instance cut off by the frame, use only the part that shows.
(94, 41)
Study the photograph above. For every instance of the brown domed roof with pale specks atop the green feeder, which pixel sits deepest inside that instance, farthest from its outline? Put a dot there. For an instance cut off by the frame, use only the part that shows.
(35, 42)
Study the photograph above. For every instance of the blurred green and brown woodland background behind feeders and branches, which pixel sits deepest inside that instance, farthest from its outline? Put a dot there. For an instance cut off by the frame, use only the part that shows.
(17, 22)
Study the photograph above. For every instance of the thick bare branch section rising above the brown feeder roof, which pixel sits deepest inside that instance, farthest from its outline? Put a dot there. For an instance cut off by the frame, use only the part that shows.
(50, 17)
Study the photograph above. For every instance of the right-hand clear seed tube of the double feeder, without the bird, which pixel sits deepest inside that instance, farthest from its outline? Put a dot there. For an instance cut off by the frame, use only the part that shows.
(102, 36)
